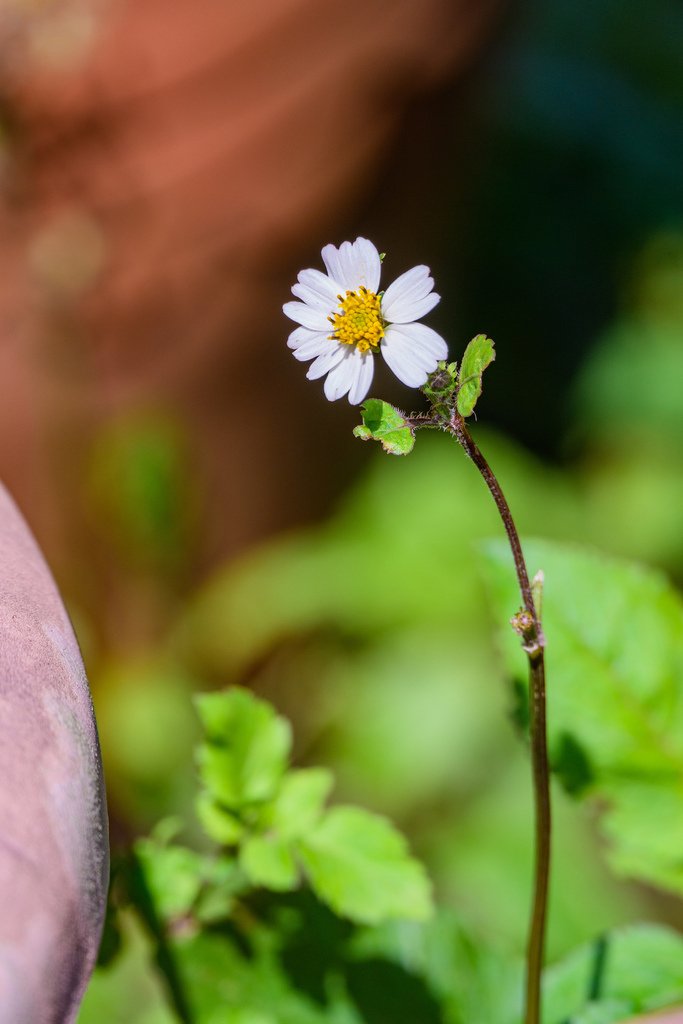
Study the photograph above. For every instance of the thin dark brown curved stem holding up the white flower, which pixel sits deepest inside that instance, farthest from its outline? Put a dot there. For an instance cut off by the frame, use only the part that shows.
(529, 626)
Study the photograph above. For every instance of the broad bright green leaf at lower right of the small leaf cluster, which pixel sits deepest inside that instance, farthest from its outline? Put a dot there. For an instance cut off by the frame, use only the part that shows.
(360, 865)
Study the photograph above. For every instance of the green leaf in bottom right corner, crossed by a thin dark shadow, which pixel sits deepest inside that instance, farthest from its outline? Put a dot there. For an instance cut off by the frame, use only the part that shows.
(638, 969)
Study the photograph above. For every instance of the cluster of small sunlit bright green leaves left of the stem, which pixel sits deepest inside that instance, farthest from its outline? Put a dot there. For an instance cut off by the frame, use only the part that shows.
(355, 862)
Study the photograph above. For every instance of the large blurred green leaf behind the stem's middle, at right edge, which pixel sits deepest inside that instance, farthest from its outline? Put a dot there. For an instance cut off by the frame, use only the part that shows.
(615, 660)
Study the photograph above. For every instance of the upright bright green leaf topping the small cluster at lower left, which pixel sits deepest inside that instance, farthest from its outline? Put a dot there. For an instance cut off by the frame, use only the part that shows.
(247, 749)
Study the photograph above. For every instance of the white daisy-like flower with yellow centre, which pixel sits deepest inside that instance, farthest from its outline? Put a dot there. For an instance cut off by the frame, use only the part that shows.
(346, 321)
